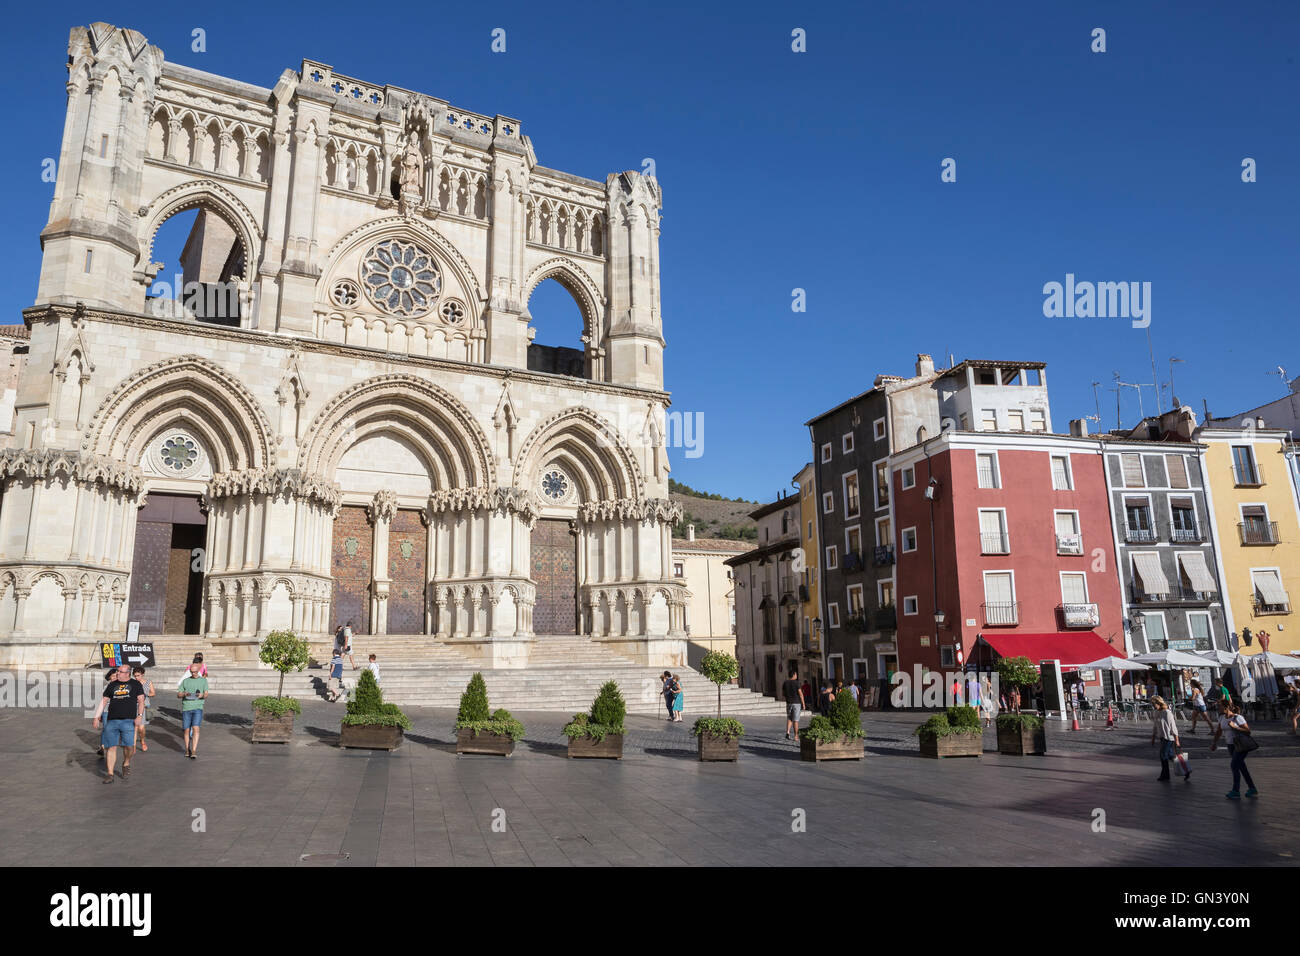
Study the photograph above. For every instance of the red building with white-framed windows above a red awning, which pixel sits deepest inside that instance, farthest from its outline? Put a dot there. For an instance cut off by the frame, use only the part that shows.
(1004, 535)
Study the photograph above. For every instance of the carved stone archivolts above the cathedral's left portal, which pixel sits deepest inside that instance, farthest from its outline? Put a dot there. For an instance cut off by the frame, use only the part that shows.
(192, 392)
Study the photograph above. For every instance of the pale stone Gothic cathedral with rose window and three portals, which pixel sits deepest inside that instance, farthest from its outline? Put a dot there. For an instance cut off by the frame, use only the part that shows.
(344, 414)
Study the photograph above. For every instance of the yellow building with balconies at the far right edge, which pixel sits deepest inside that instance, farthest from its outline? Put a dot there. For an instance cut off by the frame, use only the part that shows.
(1256, 520)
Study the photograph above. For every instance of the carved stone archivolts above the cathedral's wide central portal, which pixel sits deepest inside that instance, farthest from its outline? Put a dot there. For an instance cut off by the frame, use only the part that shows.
(428, 418)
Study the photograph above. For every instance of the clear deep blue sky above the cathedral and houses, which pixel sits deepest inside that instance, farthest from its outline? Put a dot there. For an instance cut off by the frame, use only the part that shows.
(822, 171)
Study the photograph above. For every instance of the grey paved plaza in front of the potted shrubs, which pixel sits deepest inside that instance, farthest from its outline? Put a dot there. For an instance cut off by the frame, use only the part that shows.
(311, 803)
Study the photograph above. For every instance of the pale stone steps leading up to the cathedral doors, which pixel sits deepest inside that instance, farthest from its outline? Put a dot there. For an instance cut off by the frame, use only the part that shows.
(564, 674)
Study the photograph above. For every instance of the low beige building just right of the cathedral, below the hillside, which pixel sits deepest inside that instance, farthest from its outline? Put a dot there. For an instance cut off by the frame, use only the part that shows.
(699, 565)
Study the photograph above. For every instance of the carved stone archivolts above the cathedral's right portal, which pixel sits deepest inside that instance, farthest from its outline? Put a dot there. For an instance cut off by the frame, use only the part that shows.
(591, 452)
